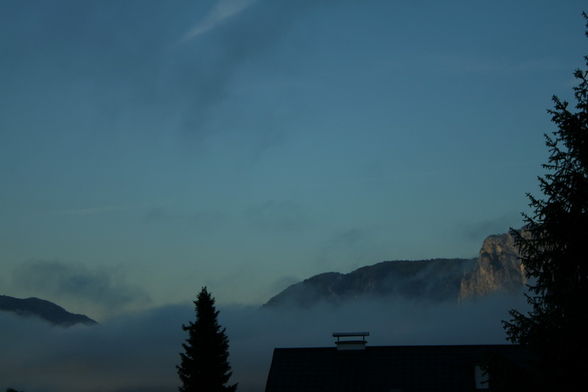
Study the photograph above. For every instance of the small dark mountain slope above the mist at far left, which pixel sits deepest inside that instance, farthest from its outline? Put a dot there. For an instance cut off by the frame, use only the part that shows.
(48, 311)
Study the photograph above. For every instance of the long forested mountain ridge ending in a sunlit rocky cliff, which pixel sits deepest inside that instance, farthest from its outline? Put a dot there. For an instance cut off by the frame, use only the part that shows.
(496, 268)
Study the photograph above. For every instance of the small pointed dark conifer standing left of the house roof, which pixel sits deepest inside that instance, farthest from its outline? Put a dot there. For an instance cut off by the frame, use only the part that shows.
(204, 363)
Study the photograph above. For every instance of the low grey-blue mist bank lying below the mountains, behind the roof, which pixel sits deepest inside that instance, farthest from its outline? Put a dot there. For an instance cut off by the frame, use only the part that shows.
(138, 352)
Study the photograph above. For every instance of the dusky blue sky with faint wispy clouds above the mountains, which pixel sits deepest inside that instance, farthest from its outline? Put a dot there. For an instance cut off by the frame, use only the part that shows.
(149, 148)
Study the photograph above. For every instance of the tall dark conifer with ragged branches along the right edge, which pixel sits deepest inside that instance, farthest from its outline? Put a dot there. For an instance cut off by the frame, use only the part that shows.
(553, 250)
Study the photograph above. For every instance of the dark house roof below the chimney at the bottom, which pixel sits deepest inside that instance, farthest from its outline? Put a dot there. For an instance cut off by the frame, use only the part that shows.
(384, 368)
